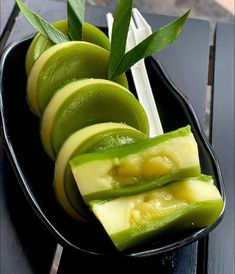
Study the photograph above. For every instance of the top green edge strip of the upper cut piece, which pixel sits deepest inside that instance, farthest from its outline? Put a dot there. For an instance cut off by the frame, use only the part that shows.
(132, 148)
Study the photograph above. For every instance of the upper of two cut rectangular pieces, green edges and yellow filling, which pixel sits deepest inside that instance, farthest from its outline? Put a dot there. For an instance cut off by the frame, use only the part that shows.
(137, 167)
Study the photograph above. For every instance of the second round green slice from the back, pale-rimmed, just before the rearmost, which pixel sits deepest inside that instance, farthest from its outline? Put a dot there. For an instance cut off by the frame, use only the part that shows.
(62, 64)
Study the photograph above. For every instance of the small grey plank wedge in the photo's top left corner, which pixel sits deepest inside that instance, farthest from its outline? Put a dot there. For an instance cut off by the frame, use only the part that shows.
(6, 8)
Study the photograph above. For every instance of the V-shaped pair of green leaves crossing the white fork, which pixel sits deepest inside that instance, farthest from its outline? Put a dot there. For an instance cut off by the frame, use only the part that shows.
(119, 60)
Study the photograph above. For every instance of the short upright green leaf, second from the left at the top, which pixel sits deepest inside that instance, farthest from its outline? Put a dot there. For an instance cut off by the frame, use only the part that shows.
(75, 16)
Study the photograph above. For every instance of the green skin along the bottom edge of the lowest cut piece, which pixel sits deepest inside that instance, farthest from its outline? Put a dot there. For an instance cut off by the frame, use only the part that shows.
(196, 214)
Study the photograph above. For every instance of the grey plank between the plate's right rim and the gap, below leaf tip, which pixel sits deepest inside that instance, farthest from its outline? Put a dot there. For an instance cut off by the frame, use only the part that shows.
(186, 62)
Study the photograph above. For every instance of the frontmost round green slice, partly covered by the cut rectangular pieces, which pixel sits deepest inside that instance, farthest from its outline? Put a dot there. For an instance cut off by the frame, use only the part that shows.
(91, 138)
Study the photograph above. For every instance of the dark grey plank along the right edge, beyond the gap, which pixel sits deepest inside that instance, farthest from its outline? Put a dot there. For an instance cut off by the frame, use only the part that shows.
(221, 240)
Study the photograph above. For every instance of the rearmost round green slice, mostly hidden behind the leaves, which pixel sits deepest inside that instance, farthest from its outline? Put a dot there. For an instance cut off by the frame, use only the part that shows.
(40, 43)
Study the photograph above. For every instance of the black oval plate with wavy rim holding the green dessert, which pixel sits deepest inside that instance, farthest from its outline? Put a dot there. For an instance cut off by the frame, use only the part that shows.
(34, 170)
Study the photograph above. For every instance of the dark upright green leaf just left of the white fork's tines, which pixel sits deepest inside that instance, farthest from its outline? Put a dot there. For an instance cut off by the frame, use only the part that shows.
(120, 29)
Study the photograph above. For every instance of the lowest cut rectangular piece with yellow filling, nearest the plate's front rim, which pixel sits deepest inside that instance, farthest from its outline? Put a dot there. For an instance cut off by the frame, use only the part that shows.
(179, 206)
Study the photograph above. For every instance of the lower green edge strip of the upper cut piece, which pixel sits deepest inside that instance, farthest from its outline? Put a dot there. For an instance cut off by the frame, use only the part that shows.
(143, 186)
